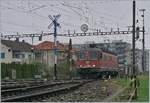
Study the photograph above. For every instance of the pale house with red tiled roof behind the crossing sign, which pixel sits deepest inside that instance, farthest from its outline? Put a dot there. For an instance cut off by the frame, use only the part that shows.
(44, 52)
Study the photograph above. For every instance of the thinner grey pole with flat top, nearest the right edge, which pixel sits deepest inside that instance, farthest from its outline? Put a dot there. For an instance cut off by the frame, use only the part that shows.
(143, 41)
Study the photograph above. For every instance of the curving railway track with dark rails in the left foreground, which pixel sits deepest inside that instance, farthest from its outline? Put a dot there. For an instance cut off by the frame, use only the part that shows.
(40, 91)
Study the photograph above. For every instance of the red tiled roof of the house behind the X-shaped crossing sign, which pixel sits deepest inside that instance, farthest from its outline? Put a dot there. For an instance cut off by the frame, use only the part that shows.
(47, 45)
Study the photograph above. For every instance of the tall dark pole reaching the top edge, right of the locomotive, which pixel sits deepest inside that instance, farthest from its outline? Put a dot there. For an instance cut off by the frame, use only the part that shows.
(133, 38)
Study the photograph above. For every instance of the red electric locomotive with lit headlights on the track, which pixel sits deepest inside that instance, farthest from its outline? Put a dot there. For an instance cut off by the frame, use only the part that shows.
(94, 63)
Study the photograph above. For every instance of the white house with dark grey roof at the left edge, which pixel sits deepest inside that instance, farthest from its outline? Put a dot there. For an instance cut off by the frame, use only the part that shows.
(15, 51)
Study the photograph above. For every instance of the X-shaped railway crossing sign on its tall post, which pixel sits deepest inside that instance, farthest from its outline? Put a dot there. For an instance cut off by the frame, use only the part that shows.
(55, 41)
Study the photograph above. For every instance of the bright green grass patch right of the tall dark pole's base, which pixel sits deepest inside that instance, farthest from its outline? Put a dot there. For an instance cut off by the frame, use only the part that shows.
(143, 90)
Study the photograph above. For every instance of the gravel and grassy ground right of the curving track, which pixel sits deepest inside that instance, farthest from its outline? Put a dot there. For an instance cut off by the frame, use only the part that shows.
(102, 91)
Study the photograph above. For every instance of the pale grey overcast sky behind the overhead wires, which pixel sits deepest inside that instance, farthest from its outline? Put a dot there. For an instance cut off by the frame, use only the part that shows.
(31, 16)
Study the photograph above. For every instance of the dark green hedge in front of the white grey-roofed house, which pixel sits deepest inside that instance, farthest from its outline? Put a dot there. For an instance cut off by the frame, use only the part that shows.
(23, 71)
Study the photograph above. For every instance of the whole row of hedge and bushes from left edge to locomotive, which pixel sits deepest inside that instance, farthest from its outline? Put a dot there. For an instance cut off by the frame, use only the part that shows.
(28, 71)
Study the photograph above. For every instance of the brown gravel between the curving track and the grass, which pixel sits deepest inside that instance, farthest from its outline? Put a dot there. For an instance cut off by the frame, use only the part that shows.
(96, 91)
